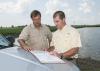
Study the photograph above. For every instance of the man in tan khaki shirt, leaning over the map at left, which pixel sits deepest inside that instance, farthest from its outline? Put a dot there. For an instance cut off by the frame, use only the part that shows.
(35, 36)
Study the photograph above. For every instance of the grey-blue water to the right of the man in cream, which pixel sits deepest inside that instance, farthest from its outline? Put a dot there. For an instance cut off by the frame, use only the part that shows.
(90, 38)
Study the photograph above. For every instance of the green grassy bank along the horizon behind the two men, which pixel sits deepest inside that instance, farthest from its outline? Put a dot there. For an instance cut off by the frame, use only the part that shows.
(15, 31)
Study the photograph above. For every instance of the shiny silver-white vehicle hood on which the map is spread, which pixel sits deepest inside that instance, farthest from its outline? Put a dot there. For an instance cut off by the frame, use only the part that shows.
(17, 59)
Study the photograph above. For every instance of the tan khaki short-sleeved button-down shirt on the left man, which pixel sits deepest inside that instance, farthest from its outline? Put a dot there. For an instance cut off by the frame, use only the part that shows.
(37, 39)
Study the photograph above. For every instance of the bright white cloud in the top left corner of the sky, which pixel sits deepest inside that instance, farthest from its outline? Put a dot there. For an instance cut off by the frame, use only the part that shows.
(11, 7)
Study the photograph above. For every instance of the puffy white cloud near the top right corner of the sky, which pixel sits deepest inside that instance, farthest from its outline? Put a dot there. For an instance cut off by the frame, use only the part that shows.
(86, 6)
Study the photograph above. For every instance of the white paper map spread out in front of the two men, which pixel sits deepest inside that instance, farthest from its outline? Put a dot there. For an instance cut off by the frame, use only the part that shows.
(45, 57)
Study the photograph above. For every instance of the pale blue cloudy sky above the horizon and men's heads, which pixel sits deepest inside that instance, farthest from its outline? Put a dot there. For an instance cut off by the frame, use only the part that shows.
(78, 12)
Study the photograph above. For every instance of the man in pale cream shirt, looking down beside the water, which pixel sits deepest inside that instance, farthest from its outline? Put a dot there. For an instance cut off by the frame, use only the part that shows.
(66, 40)
